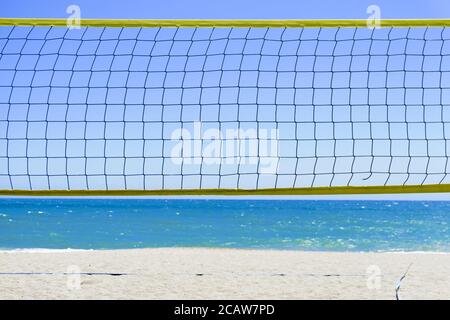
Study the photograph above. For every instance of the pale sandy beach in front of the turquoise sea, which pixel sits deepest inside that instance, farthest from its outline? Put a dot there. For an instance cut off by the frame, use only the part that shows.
(222, 274)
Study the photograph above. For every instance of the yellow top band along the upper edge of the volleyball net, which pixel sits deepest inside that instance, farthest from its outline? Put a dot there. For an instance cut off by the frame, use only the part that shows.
(144, 23)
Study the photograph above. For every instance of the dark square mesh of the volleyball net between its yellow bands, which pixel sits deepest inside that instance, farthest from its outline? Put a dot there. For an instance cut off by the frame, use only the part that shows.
(205, 108)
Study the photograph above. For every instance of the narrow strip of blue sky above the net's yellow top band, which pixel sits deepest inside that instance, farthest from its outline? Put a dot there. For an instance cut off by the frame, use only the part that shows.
(229, 9)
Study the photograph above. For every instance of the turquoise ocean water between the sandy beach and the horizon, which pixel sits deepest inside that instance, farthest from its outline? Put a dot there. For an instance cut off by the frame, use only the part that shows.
(275, 224)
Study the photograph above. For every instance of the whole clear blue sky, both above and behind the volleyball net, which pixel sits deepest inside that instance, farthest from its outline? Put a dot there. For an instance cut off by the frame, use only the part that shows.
(65, 145)
